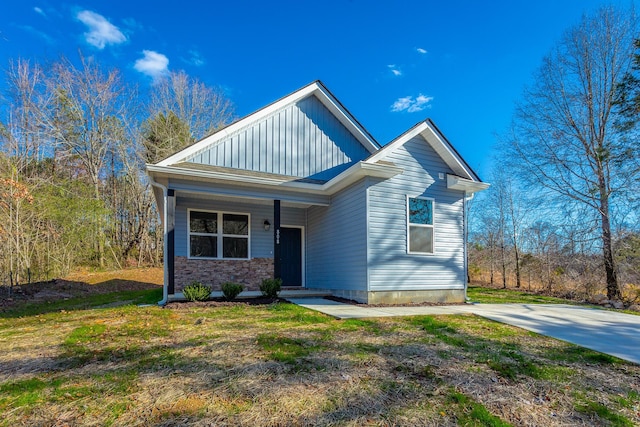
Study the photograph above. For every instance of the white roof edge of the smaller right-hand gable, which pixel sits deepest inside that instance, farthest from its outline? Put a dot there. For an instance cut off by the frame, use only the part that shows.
(432, 135)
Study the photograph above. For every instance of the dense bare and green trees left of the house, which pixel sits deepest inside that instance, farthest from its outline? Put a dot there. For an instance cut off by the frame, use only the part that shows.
(74, 139)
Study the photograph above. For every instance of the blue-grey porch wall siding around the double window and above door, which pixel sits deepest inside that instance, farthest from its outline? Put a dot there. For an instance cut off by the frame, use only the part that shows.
(261, 242)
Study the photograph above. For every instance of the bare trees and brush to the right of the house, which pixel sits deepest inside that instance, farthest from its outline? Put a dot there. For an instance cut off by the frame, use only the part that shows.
(562, 213)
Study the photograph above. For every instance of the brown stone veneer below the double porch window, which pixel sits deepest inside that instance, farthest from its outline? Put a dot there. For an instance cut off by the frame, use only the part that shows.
(215, 272)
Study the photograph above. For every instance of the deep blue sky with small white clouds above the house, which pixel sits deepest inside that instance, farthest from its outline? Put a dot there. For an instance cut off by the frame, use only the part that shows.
(392, 64)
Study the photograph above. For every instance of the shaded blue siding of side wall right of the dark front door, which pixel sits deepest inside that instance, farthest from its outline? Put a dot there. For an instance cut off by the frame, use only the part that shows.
(336, 241)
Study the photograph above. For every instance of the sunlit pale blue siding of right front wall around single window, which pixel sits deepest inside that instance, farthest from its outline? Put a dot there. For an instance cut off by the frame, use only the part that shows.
(391, 268)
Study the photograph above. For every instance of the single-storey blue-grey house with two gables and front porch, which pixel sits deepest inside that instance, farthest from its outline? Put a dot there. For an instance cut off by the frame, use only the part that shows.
(301, 191)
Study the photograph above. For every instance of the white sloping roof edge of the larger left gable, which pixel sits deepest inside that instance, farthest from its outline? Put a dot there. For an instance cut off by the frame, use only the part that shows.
(316, 89)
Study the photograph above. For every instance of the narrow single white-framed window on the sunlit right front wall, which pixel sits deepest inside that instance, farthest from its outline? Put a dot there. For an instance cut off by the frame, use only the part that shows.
(420, 236)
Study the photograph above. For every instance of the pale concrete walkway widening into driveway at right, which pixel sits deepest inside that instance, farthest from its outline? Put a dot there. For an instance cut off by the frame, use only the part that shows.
(609, 332)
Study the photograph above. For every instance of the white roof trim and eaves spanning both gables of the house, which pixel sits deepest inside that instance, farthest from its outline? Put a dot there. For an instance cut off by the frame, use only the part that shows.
(179, 166)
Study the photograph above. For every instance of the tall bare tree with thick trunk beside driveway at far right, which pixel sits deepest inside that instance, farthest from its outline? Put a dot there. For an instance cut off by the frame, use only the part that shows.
(564, 137)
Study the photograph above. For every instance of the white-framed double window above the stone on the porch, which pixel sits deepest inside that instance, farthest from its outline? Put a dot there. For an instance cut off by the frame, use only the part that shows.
(218, 235)
